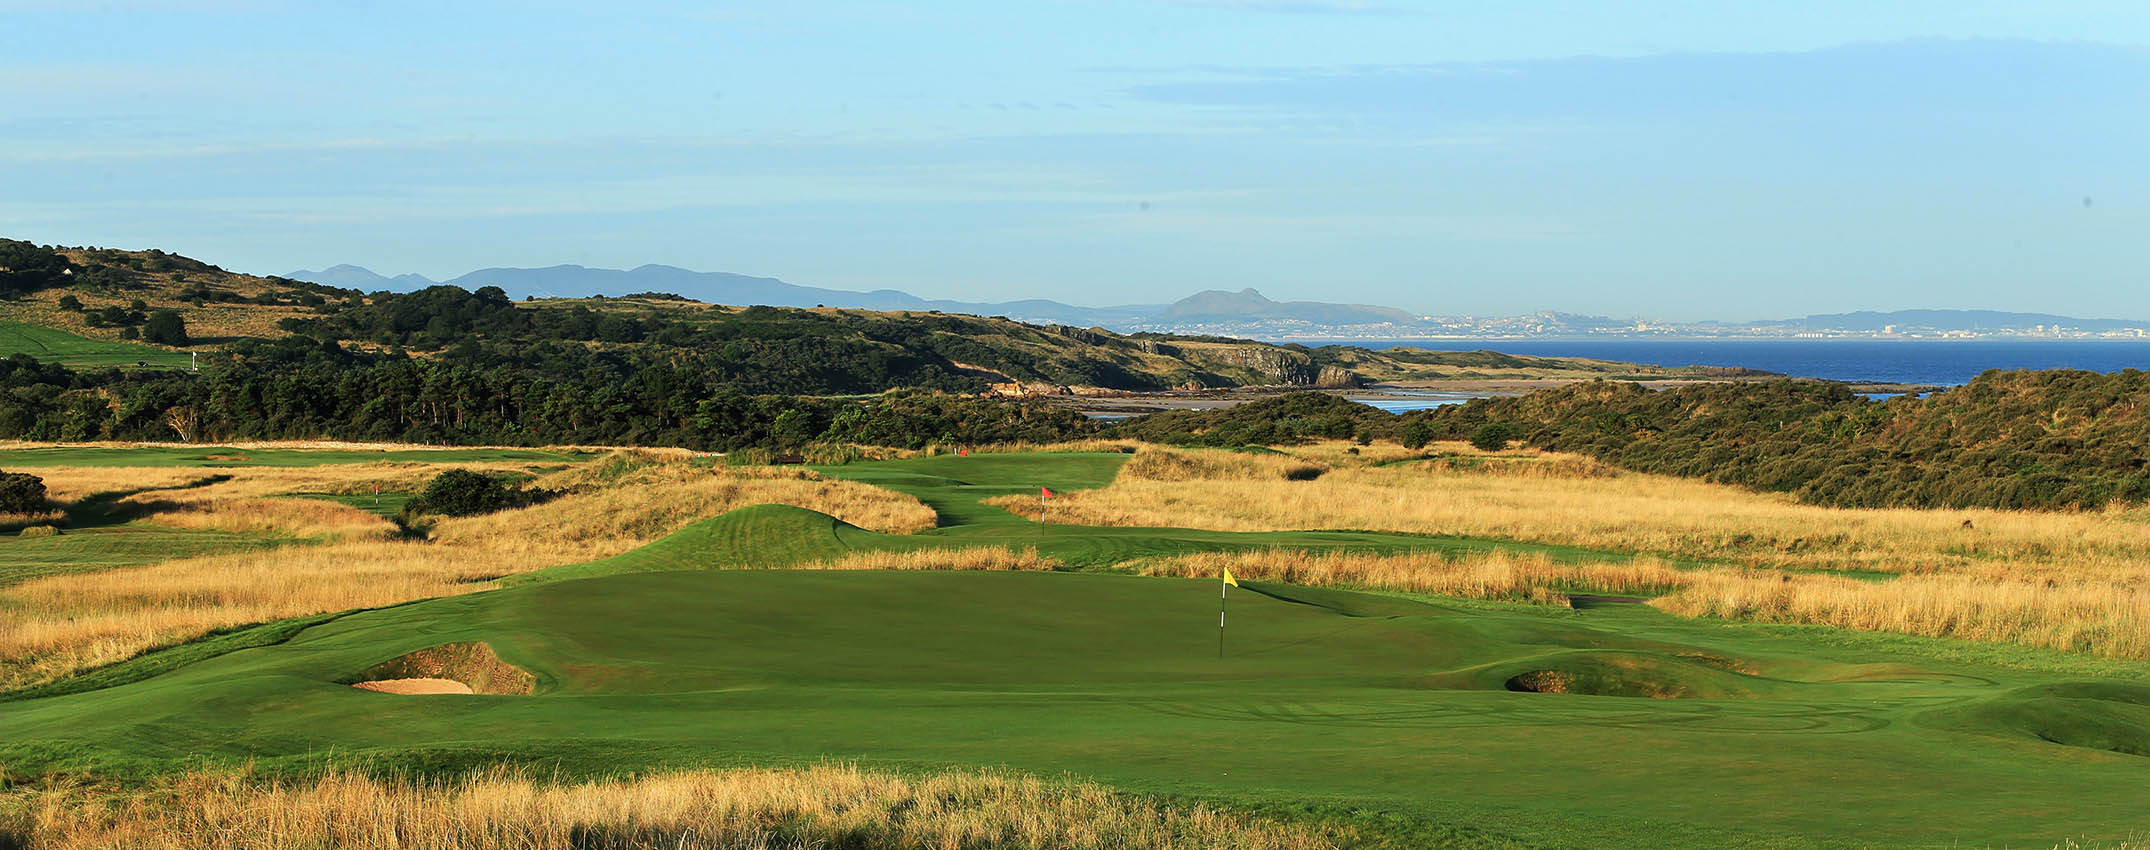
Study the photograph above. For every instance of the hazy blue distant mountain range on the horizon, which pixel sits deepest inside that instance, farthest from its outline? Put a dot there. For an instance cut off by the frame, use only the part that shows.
(719, 287)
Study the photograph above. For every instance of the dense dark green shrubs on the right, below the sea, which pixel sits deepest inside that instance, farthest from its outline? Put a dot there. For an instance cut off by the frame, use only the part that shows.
(2007, 440)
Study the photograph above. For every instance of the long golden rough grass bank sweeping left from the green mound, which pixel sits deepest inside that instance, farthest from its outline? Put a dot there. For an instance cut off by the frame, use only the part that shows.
(61, 625)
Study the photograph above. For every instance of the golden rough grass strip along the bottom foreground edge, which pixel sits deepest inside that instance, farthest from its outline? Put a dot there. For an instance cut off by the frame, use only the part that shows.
(732, 810)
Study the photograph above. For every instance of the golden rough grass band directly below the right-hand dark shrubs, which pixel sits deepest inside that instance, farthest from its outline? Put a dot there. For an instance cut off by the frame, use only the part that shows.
(1566, 500)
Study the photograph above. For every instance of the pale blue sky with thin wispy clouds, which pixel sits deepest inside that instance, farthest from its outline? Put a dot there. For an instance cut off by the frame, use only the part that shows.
(1652, 158)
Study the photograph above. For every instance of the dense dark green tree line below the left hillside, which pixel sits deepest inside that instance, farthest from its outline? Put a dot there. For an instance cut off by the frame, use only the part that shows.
(302, 388)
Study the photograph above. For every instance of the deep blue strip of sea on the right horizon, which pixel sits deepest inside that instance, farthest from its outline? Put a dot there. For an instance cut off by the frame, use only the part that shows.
(1943, 363)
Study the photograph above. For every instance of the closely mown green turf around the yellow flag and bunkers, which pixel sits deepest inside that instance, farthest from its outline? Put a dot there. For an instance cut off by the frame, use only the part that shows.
(1325, 700)
